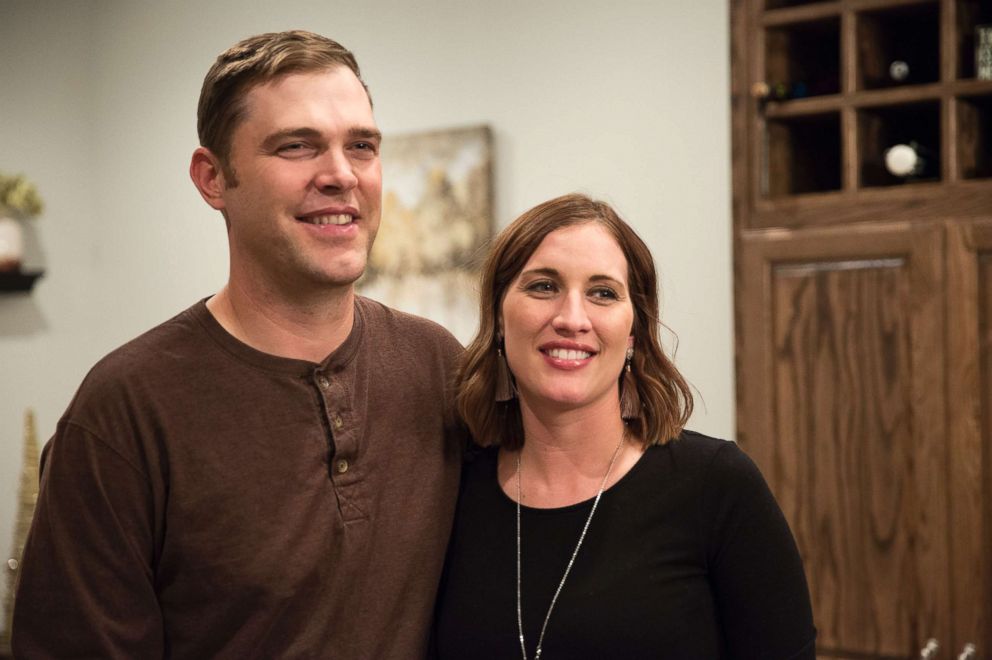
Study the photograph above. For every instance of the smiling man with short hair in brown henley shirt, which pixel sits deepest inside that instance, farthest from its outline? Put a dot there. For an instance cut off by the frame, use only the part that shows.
(270, 473)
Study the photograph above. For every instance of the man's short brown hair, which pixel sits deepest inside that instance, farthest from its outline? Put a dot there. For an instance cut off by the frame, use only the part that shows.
(252, 62)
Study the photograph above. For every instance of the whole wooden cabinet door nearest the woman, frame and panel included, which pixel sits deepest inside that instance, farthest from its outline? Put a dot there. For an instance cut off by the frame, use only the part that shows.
(840, 400)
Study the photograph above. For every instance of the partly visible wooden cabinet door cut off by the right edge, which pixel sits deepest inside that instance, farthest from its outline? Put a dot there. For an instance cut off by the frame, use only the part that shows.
(970, 430)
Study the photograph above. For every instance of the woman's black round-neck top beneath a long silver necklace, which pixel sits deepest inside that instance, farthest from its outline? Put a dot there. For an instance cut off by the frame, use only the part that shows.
(688, 556)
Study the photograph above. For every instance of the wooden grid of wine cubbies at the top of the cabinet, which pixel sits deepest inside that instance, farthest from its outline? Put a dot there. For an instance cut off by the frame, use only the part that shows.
(833, 107)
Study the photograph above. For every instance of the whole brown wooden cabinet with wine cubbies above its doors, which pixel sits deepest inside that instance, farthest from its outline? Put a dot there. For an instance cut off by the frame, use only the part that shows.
(864, 310)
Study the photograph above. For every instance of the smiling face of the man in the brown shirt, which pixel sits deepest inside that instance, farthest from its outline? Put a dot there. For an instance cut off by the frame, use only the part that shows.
(306, 205)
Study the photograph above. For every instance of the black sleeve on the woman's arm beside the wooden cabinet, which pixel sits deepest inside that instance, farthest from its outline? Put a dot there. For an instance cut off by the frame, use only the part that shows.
(756, 571)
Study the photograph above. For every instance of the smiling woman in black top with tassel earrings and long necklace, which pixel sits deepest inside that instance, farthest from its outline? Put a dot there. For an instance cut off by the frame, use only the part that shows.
(591, 525)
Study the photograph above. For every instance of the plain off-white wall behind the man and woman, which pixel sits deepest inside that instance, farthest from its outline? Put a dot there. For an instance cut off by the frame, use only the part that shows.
(626, 101)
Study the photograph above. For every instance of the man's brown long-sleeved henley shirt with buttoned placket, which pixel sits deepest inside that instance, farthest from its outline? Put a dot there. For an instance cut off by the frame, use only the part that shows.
(201, 499)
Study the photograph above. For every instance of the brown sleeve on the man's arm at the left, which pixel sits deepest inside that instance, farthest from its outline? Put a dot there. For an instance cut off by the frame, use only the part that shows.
(86, 586)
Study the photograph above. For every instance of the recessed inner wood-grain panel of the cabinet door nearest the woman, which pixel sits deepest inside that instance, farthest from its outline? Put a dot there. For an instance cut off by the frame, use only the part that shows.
(842, 399)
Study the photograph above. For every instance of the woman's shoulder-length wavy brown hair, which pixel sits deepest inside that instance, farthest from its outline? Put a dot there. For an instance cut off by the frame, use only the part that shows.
(665, 396)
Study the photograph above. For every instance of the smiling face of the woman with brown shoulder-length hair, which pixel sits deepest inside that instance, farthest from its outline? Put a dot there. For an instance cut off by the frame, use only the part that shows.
(567, 319)
